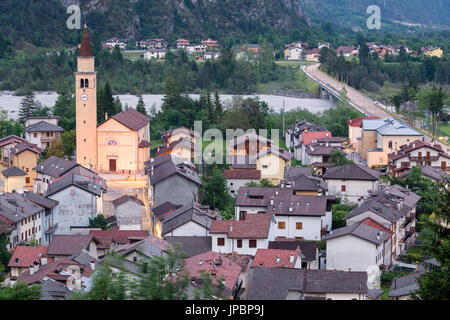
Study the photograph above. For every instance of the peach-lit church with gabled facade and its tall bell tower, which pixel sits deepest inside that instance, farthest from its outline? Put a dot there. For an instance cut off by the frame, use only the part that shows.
(121, 143)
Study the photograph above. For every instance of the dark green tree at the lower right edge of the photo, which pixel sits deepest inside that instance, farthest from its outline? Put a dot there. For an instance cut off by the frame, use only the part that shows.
(434, 284)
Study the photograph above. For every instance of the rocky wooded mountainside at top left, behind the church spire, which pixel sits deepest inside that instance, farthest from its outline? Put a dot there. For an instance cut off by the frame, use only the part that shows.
(43, 23)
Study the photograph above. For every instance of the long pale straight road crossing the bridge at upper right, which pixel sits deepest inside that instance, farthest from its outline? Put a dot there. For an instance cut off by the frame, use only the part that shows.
(359, 101)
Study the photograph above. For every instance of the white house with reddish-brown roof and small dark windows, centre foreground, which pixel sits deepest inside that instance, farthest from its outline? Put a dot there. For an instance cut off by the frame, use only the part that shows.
(242, 236)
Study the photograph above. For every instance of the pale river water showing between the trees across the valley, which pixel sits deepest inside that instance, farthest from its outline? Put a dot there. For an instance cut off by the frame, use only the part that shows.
(10, 102)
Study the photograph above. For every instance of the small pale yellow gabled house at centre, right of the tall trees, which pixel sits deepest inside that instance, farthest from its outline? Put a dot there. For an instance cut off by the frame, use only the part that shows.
(271, 163)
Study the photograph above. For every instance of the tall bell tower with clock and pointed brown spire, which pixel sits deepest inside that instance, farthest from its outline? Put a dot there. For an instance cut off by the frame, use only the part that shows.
(86, 105)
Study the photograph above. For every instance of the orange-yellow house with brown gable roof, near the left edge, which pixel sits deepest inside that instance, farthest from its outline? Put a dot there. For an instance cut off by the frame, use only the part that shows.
(25, 156)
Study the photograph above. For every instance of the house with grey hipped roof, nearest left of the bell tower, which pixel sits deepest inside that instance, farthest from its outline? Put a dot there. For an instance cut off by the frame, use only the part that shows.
(41, 131)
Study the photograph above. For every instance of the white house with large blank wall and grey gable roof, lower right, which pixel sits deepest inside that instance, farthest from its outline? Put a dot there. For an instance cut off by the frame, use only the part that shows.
(358, 246)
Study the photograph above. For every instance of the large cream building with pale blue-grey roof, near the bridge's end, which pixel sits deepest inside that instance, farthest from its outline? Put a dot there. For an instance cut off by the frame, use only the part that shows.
(380, 137)
